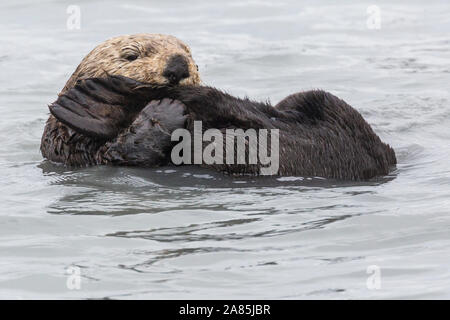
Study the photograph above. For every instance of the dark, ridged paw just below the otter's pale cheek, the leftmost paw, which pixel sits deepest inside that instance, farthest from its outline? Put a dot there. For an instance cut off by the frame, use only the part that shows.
(100, 107)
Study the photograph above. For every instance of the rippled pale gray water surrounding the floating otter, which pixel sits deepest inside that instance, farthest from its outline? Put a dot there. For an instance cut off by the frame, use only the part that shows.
(190, 233)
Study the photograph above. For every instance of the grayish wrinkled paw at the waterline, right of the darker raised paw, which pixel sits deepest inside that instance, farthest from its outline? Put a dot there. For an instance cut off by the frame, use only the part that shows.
(147, 141)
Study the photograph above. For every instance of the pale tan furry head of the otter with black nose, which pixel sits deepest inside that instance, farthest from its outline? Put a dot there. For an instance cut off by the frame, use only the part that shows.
(151, 58)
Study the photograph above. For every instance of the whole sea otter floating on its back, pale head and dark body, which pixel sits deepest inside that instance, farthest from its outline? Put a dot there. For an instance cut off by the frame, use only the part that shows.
(115, 110)
